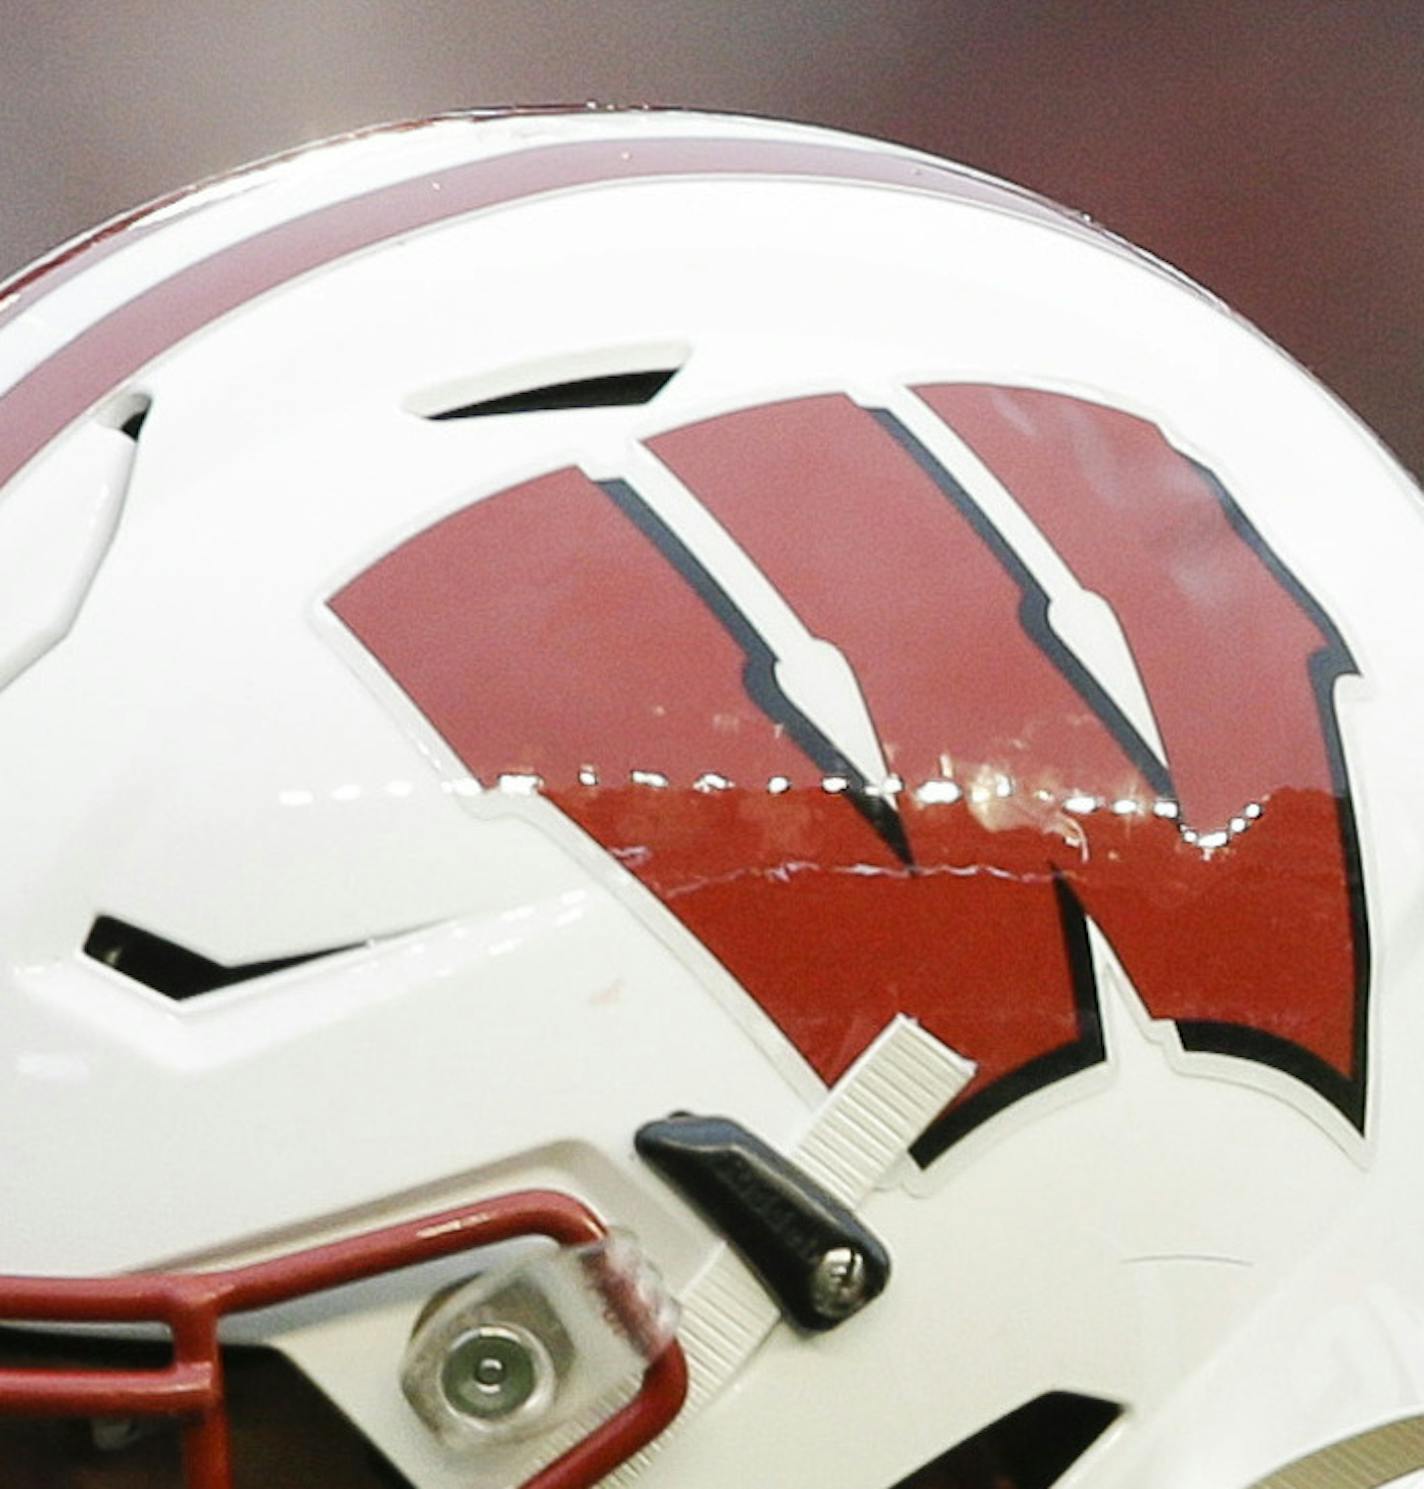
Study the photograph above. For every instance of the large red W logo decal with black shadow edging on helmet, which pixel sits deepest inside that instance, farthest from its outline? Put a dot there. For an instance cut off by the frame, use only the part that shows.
(567, 626)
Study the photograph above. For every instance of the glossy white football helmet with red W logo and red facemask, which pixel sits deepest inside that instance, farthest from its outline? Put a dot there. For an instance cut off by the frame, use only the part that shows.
(690, 802)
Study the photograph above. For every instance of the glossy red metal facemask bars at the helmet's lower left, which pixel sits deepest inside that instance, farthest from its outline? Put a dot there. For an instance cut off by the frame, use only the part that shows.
(191, 1305)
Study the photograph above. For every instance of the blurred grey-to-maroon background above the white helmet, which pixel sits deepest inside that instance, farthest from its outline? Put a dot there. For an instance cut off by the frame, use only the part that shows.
(1271, 148)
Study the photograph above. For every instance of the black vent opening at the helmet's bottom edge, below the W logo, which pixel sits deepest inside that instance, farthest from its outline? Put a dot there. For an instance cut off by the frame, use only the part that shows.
(1032, 1448)
